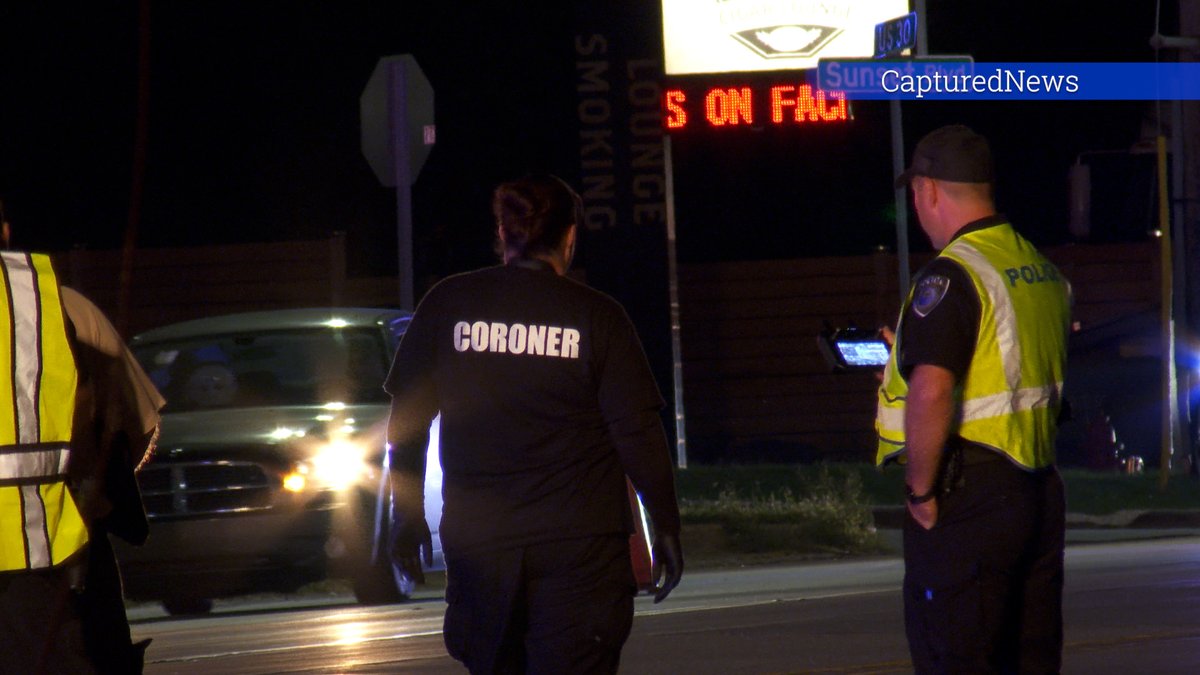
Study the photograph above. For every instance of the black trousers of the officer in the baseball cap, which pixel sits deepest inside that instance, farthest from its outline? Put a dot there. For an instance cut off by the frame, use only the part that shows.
(983, 588)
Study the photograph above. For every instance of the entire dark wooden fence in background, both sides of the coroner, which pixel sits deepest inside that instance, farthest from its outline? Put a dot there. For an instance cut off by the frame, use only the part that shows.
(755, 385)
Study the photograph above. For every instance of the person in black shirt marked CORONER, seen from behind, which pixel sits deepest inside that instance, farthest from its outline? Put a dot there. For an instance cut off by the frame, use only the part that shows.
(548, 404)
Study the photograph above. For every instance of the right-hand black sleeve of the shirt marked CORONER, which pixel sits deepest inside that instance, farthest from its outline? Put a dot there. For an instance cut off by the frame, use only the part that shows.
(631, 404)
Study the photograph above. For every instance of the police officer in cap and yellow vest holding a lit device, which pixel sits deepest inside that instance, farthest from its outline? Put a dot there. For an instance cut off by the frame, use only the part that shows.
(969, 404)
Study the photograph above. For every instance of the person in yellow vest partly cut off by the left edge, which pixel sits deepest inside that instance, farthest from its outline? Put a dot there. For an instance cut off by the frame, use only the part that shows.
(77, 417)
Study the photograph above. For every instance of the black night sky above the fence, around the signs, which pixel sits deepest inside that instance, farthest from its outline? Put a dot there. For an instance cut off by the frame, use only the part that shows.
(254, 129)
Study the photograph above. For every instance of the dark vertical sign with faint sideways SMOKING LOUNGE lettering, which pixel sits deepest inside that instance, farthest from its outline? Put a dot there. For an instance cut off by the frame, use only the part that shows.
(619, 73)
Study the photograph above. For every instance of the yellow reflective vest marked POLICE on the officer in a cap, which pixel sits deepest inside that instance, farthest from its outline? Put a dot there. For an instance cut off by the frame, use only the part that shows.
(1010, 398)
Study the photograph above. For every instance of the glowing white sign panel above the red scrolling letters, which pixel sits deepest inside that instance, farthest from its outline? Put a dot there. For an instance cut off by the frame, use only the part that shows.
(713, 37)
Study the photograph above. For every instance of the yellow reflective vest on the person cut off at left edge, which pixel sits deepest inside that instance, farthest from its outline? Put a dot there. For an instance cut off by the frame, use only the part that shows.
(40, 524)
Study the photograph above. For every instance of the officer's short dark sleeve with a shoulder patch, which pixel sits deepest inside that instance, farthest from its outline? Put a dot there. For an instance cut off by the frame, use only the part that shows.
(941, 324)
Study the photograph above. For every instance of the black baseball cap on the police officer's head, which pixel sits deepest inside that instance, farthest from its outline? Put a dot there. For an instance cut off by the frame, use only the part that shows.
(952, 153)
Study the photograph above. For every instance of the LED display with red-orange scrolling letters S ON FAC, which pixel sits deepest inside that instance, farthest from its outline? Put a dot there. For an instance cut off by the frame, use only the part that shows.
(752, 106)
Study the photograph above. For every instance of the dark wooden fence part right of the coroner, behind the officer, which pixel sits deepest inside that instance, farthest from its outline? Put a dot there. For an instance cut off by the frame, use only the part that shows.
(755, 385)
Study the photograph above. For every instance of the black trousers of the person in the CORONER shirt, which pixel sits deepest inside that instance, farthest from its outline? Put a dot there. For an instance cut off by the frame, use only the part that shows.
(556, 608)
